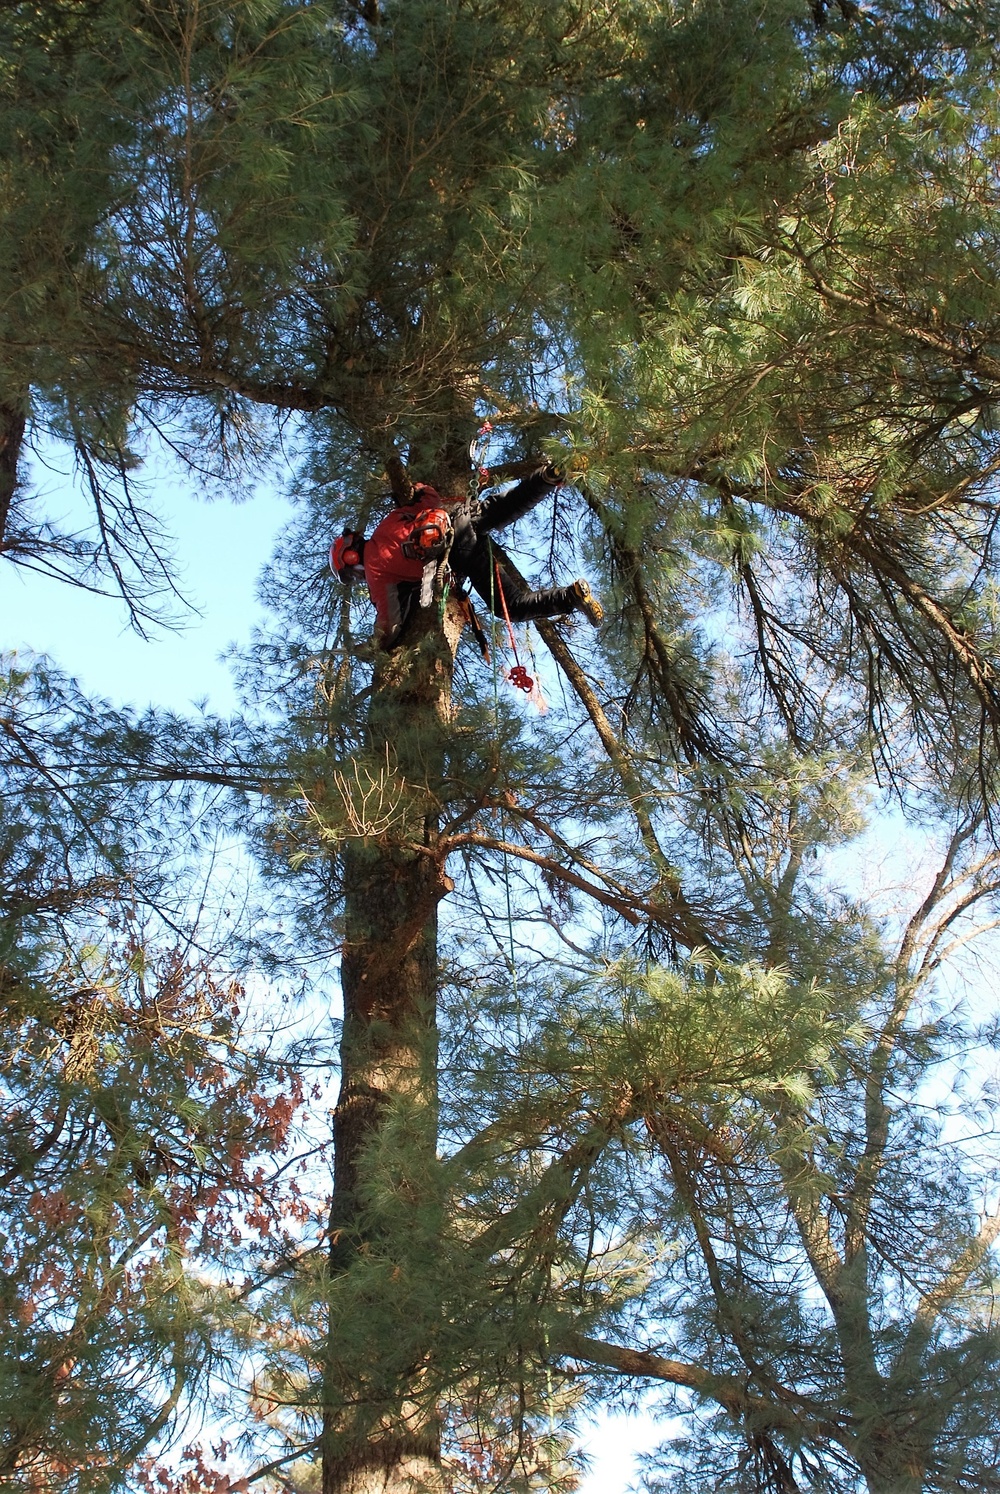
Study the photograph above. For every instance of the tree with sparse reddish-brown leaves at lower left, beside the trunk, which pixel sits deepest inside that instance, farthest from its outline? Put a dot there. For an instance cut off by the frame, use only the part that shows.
(149, 1135)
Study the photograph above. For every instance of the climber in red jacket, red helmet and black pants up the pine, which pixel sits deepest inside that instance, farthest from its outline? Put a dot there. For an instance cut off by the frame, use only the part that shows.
(410, 548)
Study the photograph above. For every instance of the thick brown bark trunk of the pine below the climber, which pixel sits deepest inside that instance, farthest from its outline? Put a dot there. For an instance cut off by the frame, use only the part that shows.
(380, 1433)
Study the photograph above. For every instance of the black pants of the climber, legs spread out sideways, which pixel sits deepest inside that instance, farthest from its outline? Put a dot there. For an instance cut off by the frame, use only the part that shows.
(478, 558)
